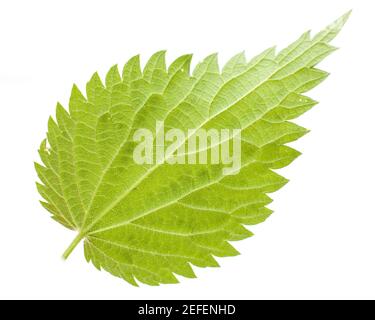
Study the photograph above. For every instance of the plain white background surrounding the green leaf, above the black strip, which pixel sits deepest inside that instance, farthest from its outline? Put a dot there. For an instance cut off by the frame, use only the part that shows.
(320, 241)
